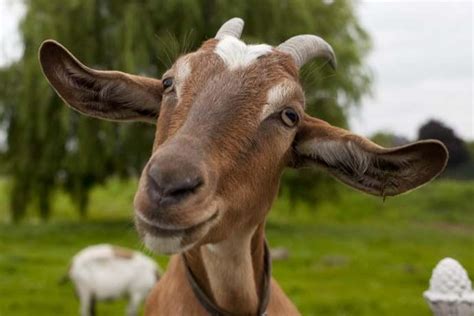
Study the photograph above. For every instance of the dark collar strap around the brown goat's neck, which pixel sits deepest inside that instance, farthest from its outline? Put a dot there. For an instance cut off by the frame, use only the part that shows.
(215, 310)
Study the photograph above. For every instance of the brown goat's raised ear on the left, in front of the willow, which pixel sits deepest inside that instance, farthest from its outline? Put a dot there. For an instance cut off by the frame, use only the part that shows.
(110, 95)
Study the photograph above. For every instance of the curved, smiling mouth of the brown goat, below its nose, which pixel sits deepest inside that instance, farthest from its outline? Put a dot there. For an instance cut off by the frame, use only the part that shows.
(155, 228)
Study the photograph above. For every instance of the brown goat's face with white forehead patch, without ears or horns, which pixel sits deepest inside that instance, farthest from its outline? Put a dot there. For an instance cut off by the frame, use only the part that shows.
(224, 134)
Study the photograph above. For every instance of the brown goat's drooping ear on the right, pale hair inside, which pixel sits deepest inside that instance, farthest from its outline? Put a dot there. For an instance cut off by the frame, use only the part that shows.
(361, 164)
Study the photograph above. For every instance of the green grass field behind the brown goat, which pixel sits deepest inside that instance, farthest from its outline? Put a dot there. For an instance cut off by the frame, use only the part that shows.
(354, 256)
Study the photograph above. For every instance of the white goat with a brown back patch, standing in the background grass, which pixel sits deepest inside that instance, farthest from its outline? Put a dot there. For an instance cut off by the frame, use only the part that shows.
(107, 272)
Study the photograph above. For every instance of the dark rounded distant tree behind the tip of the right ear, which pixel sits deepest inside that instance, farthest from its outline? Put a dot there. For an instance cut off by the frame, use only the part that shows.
(458, 152)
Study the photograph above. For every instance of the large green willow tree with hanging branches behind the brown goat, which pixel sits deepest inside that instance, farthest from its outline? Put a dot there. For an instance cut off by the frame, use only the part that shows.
(51, 147)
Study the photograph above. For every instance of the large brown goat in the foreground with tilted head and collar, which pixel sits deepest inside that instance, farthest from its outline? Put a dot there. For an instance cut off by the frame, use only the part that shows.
(229, 118)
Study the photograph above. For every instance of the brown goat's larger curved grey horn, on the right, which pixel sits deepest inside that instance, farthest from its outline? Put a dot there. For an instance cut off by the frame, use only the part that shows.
(303, 48)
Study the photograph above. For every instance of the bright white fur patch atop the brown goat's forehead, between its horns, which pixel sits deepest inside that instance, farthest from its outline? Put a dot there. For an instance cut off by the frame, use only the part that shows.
(237, 54)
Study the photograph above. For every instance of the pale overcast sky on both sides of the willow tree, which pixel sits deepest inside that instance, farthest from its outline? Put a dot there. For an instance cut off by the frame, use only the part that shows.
(422, 60)
